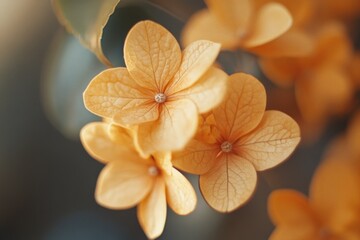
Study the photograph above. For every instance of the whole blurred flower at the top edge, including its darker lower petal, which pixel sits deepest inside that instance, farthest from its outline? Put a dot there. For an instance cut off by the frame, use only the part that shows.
(258, 26)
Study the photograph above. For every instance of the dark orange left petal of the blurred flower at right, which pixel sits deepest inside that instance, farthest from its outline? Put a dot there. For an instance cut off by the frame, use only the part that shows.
(281, 71)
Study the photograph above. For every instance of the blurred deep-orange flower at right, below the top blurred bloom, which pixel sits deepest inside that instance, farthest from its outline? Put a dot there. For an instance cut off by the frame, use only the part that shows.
(322, 86)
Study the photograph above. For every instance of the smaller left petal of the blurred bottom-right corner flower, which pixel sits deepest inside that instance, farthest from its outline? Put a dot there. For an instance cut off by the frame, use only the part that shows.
(291, 212)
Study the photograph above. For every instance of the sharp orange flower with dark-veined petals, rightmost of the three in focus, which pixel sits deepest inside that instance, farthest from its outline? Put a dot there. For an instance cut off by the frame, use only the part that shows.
(237, 139)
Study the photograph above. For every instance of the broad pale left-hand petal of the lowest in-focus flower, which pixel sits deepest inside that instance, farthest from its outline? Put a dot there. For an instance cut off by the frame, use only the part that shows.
(123, 184)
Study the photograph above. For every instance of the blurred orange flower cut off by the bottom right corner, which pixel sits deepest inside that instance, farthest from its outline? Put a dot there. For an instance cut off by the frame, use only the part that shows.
(332, 211)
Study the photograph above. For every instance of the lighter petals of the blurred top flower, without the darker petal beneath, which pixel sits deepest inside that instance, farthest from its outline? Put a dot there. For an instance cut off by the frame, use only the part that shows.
(235, 24)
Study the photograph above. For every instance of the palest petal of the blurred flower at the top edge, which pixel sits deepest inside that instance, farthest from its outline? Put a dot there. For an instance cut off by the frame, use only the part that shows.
(272, 20)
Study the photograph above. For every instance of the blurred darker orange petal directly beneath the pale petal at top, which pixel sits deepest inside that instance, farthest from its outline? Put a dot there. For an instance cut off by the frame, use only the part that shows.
(294, 43)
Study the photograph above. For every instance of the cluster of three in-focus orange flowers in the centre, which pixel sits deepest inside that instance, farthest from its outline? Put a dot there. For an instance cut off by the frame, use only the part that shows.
(153, 118)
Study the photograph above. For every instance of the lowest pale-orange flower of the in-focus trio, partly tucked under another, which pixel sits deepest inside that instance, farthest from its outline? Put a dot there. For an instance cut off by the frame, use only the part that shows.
(128, 179)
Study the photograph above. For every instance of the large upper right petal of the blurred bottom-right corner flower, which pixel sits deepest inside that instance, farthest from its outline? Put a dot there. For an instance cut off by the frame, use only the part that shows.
(335, 192)
